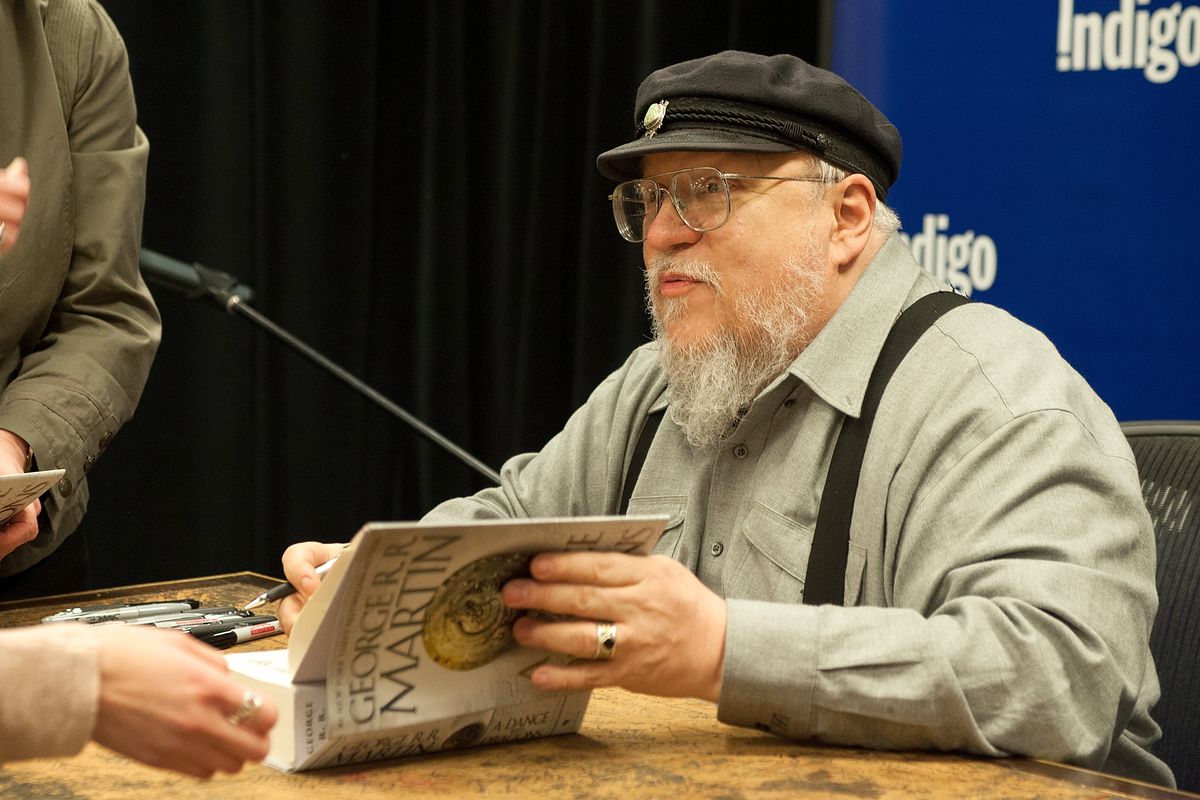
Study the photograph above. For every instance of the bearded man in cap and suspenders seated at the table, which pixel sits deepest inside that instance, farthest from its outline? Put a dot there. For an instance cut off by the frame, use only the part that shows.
(997, 592)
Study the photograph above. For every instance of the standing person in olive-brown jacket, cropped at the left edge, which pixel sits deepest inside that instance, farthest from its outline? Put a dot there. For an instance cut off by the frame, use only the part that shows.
(79, 328)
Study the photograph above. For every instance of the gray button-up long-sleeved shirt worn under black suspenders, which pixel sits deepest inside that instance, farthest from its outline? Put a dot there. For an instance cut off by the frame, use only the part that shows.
(1000, 590)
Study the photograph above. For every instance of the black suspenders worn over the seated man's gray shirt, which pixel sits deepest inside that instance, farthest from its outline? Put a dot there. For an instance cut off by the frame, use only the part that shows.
(825, 580)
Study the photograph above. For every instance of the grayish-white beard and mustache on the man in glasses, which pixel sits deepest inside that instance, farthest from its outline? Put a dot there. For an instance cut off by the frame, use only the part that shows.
(715, 381)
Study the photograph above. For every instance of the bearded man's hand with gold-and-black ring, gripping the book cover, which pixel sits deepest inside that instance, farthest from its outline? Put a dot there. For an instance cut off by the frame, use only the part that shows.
(670, 627)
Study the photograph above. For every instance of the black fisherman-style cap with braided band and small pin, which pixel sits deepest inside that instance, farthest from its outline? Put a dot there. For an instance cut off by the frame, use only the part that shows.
(745, 103)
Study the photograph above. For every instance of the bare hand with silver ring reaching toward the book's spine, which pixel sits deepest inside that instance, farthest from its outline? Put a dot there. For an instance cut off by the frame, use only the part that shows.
(166, 700)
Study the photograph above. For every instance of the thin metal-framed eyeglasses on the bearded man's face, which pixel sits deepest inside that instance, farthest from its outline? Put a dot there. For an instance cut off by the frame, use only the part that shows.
(700, 195)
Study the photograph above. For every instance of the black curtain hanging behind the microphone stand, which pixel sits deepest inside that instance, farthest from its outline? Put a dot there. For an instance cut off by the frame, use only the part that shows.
(410, 188)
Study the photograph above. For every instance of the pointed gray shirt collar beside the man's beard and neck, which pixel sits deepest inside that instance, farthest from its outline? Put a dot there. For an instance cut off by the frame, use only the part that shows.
(838, 363)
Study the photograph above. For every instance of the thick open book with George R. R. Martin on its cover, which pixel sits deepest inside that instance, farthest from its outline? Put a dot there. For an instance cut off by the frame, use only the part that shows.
(409, 649)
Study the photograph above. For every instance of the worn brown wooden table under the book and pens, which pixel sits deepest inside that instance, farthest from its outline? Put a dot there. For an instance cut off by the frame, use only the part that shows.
(631, 748)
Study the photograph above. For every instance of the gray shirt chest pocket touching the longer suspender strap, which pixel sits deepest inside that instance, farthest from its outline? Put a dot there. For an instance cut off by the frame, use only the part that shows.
(773, 558)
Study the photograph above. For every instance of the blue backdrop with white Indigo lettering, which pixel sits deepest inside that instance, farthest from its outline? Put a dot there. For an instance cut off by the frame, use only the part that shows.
(1052, 170)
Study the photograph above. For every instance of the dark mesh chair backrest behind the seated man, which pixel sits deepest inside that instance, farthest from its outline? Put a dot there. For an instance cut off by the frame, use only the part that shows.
(1168, 456)
